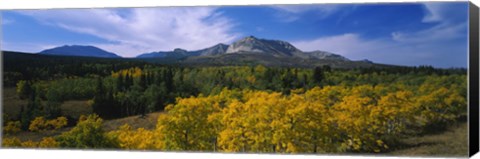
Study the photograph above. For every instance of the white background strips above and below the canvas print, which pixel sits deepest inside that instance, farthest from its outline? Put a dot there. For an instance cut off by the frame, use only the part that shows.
(81, 154)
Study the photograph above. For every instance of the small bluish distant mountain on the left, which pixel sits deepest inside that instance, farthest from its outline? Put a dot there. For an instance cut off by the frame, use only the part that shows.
(77, 50)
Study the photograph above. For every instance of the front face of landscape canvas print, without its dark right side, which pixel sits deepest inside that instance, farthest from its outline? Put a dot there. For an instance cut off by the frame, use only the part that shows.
(378, 78)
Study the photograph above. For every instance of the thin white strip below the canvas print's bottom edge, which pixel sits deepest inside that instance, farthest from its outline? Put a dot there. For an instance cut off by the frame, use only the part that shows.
(81, 154)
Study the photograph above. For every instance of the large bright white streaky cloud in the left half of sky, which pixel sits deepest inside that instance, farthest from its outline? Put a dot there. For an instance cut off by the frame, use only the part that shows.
(134, 31)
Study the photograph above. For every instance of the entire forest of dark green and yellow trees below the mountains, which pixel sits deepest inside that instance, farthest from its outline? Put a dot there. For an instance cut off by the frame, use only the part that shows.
(248, 108)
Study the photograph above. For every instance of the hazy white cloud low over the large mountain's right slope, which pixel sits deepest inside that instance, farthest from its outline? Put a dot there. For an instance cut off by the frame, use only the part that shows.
(352, 46)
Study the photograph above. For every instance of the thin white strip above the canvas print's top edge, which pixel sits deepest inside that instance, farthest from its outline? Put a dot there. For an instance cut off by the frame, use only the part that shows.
(48, 4)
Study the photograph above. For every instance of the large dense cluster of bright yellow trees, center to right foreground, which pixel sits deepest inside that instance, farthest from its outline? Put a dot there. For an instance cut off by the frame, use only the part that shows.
(331, 119)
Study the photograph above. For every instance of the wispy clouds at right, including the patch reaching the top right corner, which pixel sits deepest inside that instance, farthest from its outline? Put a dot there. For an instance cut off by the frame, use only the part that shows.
(443, 44)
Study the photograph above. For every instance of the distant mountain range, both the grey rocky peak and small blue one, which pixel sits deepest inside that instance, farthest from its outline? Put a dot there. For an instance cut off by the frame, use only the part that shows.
(248, 50)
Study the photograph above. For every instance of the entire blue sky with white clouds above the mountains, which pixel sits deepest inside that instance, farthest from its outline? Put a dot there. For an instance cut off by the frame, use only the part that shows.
(431, 33)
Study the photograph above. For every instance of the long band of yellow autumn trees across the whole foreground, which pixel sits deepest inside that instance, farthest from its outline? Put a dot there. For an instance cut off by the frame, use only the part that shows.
(328, 119)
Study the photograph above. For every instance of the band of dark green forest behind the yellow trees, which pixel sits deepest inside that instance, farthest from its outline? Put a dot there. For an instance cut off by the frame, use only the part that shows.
(134, 91)
